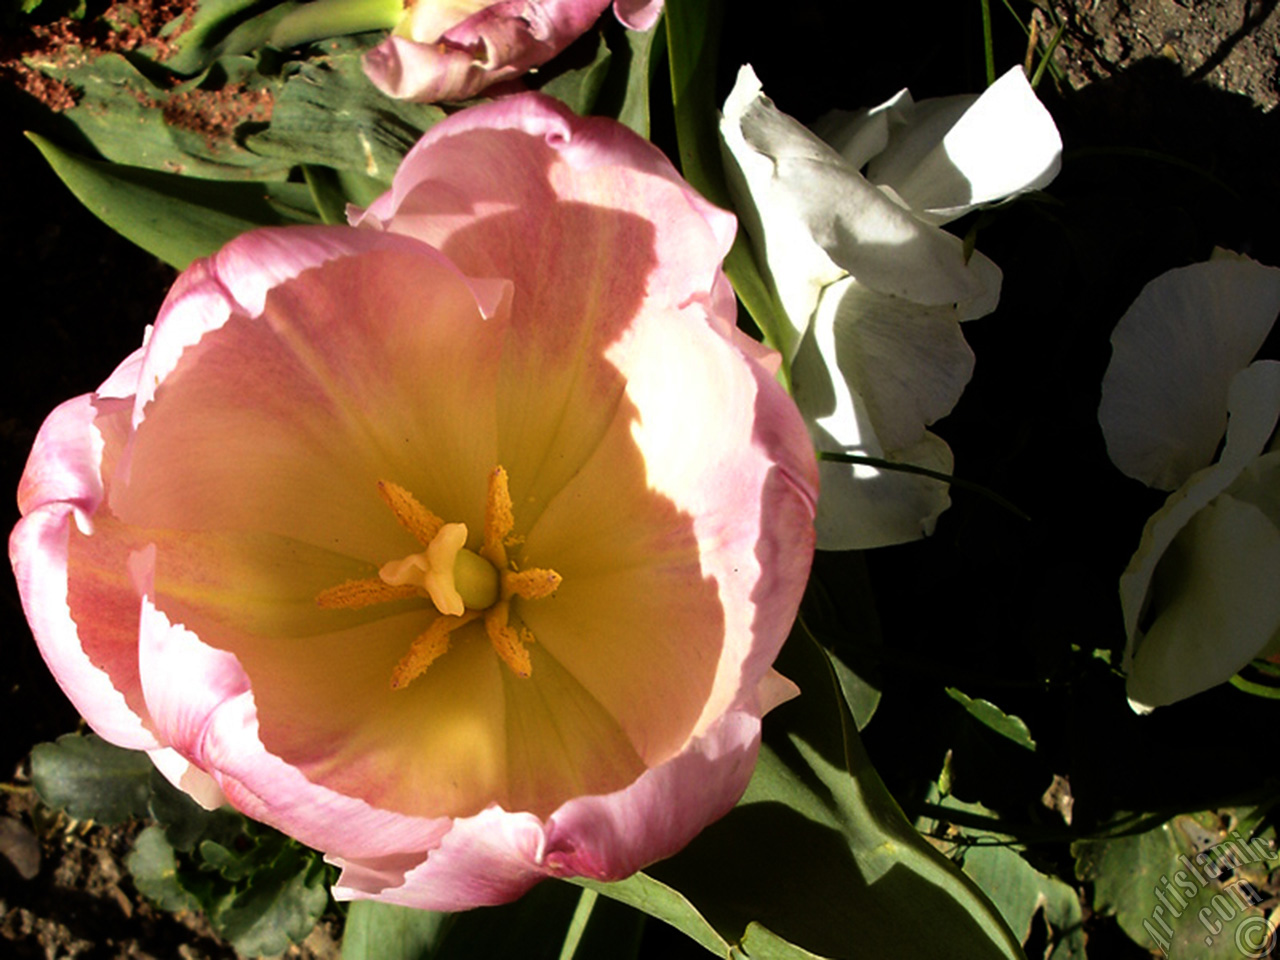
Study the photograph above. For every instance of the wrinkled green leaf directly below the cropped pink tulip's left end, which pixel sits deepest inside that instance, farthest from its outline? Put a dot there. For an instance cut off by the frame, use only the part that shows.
(328, 115)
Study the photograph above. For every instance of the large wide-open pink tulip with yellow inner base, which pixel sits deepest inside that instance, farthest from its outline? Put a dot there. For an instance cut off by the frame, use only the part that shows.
(458, 546)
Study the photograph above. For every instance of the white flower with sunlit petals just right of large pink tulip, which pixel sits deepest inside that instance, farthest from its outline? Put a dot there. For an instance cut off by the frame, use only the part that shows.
(847, 231)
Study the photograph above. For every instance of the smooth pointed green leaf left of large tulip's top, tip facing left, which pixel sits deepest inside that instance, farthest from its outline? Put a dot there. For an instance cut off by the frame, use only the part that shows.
(176, 218)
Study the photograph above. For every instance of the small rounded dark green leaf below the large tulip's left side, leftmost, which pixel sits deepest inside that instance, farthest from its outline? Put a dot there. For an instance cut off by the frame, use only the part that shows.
(93, 780)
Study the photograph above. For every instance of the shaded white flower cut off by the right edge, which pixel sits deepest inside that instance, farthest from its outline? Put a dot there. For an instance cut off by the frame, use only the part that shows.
(1199, 596)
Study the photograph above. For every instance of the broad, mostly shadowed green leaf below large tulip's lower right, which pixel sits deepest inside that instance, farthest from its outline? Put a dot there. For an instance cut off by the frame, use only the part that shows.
(821, 854)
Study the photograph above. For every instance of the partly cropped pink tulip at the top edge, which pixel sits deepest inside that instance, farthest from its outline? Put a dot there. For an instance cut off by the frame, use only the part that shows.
(455, 49)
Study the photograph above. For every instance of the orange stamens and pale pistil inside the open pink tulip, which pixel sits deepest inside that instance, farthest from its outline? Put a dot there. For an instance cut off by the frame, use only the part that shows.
(464, 586)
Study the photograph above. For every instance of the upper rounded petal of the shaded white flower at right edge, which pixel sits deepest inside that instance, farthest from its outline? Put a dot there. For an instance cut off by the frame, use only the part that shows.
(1174, 354)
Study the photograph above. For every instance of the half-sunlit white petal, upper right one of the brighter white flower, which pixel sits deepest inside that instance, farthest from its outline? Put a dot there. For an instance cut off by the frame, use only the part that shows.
(1003, 143)
